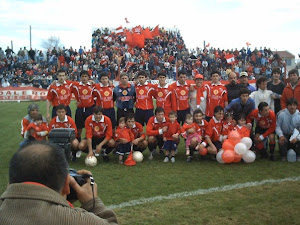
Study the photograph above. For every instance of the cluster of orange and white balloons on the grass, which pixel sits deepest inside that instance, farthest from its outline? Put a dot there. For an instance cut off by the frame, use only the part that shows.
(236, 148)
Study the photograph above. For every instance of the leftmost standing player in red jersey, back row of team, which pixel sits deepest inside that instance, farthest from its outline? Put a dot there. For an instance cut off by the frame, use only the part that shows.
(59, 93)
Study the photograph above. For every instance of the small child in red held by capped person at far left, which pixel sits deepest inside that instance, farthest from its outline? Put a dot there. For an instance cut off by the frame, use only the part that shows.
(37, 130)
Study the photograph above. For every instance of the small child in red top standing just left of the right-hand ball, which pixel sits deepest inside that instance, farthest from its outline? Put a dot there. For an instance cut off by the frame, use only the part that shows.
(123, 137)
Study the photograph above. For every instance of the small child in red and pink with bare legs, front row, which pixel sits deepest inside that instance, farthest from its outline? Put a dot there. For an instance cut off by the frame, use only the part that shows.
(189, 129)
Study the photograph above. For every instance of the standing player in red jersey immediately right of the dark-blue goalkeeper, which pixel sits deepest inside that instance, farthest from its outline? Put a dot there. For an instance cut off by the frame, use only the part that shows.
(144, 102)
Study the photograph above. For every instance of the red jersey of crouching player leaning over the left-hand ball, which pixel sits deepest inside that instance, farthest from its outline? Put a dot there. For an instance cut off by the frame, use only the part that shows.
(100, 129)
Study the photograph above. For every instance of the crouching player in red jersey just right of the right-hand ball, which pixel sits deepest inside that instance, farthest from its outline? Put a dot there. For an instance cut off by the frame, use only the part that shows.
(156, 127)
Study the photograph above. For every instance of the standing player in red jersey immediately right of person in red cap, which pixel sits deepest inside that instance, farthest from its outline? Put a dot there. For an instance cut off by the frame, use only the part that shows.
(216, 94)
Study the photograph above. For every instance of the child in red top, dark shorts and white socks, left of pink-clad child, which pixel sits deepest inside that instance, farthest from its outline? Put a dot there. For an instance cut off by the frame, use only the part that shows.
(171, 137)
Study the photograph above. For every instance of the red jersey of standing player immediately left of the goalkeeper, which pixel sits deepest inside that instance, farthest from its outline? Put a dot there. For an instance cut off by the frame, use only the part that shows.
(104, 96)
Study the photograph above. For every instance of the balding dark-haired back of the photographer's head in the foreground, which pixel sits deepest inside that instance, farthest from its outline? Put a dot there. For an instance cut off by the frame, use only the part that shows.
(39, 162)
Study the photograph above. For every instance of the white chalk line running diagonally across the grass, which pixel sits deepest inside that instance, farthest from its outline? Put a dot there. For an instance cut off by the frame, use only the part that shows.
(201, 192)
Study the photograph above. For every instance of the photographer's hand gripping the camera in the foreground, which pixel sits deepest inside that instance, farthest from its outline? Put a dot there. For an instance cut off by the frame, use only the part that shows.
(84, 192)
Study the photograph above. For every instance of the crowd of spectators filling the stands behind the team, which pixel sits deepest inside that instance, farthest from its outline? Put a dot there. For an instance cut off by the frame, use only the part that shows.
(37, 68)
